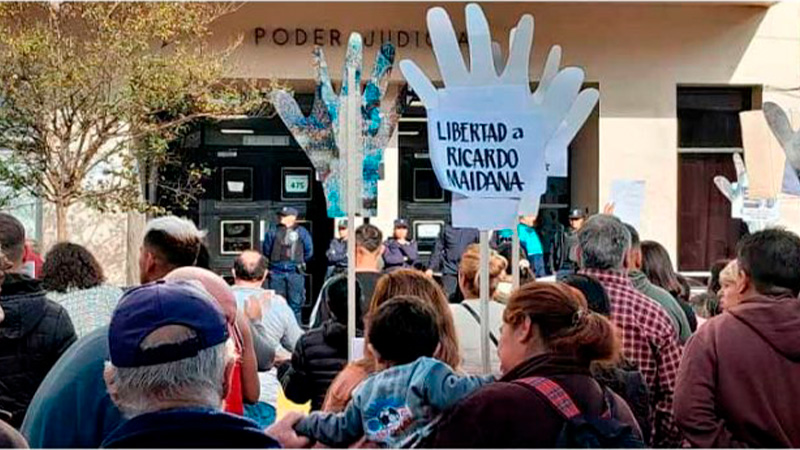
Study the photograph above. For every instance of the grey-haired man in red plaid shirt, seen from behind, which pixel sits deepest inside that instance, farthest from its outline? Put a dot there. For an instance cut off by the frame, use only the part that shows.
(648, 337)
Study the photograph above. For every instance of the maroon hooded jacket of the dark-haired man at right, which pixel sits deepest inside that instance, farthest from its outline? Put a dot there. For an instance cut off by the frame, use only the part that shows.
(739, 381)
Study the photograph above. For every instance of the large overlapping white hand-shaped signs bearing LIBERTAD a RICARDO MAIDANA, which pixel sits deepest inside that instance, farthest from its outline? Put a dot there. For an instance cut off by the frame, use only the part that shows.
(489, 135)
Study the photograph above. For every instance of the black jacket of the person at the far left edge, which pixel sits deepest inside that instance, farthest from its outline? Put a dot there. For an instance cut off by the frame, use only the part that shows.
(33, 335)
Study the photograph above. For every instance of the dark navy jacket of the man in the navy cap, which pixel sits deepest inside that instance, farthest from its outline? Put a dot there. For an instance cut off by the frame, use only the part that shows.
(189, 428)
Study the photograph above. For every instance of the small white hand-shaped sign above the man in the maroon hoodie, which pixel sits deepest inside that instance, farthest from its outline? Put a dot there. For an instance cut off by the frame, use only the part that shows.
(757, 213)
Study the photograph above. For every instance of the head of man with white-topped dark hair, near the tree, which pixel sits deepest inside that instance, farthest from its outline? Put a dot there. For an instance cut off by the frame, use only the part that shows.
(169, 242)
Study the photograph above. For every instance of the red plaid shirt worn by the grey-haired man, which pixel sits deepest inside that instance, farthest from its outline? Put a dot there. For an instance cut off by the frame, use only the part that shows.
(650, 341)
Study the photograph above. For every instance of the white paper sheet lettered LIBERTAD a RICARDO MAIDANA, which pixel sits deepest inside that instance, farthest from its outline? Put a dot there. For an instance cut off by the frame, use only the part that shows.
(480, 150)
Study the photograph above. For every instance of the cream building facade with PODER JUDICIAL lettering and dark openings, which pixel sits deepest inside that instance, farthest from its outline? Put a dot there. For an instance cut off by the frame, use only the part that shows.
(672, 78)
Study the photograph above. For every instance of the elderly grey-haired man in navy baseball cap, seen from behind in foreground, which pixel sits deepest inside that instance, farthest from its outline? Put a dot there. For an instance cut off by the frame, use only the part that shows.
(171, 360)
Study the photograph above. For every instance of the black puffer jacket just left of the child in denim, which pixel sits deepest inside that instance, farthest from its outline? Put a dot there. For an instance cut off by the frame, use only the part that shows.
(318, 357)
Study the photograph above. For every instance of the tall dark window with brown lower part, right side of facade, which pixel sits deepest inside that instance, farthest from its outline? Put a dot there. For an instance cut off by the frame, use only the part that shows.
(709, 133)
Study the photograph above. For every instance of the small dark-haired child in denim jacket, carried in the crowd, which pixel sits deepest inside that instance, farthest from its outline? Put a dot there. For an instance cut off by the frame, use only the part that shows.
(398, 406)
